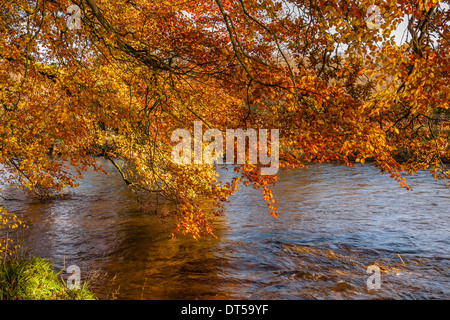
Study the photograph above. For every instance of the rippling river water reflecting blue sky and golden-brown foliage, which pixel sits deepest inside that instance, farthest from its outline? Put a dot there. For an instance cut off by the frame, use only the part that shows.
(333, 223)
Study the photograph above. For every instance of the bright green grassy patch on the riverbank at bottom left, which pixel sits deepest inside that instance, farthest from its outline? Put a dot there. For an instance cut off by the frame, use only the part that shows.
(34, 279)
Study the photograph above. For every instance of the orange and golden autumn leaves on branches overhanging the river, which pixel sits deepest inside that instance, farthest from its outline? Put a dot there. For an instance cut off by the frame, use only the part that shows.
(115, 78)
